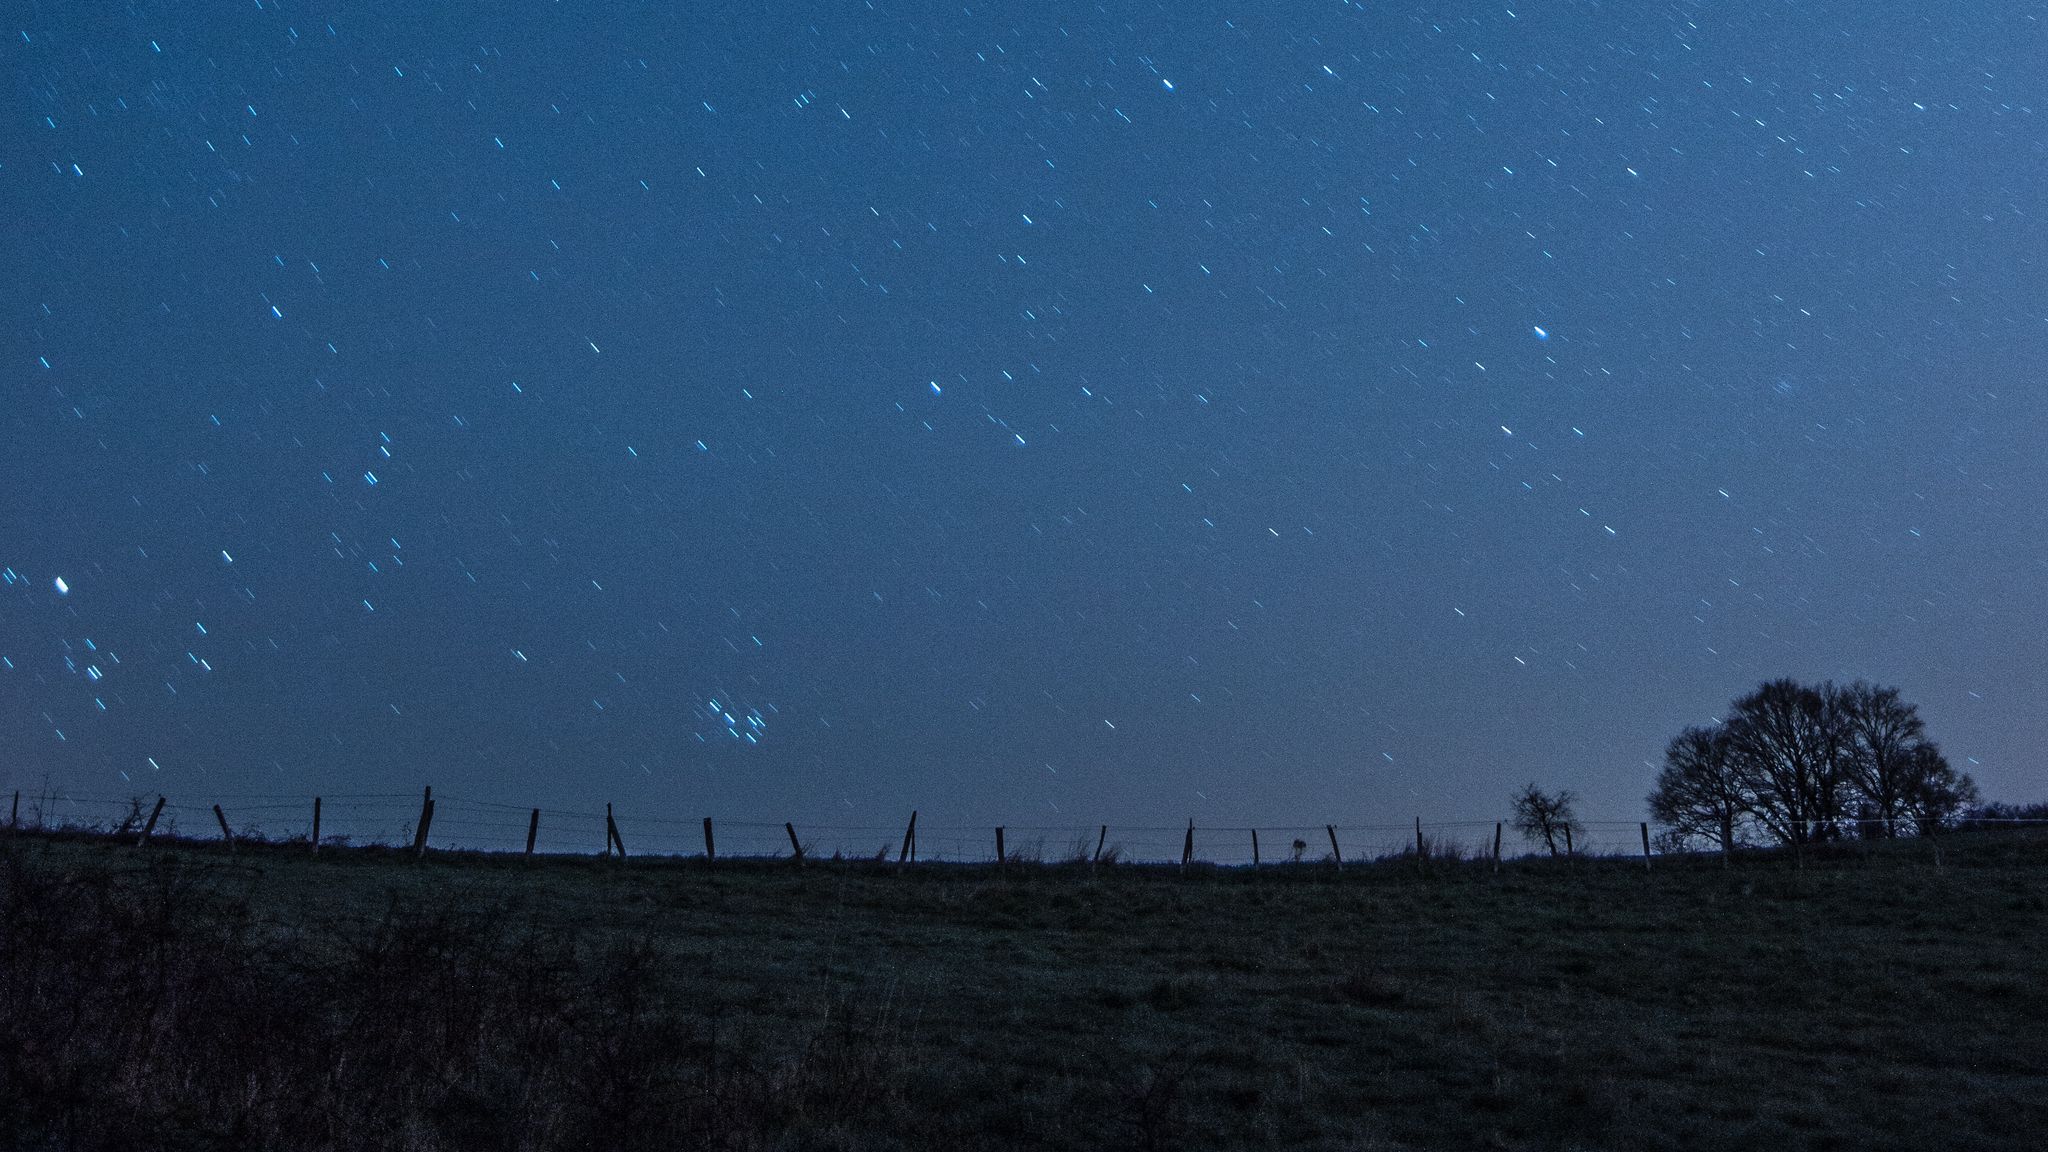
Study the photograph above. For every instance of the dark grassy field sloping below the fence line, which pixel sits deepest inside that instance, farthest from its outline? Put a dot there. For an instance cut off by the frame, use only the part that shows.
(368, 999)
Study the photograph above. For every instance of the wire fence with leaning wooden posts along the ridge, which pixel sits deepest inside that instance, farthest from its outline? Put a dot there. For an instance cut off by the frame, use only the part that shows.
(495, 827)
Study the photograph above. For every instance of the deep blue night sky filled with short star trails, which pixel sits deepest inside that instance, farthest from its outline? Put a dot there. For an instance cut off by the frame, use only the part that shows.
(1021, 413)
